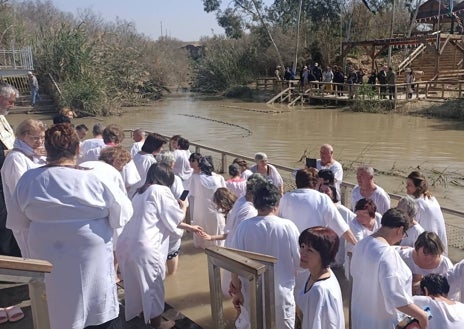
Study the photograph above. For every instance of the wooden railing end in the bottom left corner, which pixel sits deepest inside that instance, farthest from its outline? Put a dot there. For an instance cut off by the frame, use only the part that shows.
(32, 272)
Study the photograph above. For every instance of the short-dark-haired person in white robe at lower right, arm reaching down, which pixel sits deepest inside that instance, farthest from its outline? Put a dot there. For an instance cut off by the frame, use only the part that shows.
(381, 280)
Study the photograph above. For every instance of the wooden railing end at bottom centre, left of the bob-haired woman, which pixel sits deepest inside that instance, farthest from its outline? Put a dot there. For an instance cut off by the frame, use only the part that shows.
(257, 269)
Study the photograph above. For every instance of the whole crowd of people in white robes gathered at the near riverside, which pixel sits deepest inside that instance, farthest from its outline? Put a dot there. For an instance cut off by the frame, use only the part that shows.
(87, 206)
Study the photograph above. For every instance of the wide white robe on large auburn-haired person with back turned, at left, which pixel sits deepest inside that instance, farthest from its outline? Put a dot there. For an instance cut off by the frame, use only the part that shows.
(66, 215)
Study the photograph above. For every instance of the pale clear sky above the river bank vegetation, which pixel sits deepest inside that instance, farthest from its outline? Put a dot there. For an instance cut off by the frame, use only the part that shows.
(181, 19)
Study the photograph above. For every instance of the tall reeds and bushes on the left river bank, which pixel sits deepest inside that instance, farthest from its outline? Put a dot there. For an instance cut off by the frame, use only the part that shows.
(99, 66)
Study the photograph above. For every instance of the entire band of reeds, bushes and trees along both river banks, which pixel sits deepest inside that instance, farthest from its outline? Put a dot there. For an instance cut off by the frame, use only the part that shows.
(100, 66)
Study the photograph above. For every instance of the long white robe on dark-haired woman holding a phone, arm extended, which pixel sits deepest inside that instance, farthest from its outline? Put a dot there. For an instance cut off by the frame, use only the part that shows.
(143, 249)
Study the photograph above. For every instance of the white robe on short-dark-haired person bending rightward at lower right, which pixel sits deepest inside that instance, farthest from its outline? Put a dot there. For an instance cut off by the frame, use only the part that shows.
(381, 284)
